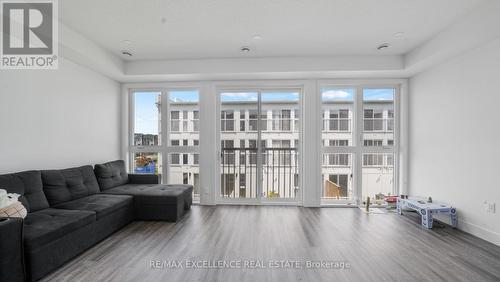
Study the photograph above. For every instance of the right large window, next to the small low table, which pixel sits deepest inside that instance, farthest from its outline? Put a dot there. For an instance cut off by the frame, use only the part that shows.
(358, 129)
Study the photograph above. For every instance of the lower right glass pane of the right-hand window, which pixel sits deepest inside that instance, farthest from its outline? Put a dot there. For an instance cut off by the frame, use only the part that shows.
(377, 177)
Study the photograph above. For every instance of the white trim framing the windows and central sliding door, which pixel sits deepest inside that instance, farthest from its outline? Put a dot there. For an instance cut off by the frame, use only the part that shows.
(310, 145)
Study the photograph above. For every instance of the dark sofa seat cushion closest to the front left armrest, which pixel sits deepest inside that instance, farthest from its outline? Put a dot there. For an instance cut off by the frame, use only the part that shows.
(47, 225)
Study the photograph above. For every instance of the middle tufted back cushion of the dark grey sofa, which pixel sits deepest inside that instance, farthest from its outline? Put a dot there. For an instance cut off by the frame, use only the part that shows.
(69, 184)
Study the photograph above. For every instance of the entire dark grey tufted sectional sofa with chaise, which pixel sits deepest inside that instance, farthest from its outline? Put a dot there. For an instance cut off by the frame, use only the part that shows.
(72, 209)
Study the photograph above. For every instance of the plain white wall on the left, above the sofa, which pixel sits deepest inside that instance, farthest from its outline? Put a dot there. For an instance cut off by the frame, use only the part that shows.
(56, 119)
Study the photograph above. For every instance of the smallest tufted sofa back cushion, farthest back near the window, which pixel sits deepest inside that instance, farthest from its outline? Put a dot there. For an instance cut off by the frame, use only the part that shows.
(111, 174)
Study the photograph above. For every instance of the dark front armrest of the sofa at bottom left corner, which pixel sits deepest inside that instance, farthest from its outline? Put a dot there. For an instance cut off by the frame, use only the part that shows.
(11, 248)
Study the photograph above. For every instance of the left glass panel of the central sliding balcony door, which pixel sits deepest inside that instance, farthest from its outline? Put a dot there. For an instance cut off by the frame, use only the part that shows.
(239, 125)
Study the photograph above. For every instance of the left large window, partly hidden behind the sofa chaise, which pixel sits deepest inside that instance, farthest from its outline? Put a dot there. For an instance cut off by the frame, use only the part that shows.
(173, 151)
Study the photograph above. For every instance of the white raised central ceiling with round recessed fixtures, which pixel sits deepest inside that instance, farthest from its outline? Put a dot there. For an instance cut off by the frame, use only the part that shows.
(198, 29)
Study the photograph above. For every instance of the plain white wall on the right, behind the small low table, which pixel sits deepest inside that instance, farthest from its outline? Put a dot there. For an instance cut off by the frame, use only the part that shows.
(455, 137)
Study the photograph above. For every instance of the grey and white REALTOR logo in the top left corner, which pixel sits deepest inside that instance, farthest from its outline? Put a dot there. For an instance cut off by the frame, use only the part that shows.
(29, 35)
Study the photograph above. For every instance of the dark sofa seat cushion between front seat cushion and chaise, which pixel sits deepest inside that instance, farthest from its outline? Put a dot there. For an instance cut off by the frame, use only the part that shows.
(102, 204)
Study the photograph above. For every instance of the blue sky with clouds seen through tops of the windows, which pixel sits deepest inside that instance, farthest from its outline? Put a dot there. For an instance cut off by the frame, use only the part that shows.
(146, 112)
